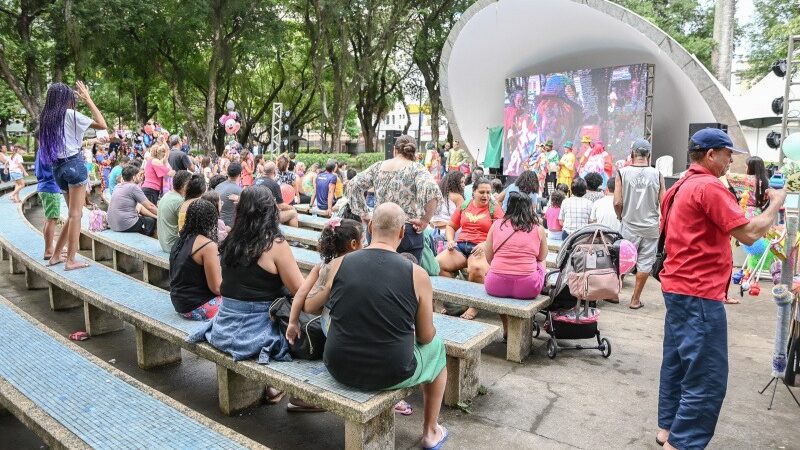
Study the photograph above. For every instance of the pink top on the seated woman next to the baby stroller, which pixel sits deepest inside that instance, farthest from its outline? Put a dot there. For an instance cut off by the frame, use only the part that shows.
(518, 256)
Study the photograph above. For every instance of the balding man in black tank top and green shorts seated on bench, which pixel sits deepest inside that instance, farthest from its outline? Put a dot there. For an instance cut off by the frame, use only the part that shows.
(381, 333)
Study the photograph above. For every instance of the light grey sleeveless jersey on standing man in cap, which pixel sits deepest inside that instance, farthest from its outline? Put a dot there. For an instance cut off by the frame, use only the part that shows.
(640, 213)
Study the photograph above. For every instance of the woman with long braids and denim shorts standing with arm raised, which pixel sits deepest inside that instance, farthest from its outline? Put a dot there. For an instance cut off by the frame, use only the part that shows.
(61, 131)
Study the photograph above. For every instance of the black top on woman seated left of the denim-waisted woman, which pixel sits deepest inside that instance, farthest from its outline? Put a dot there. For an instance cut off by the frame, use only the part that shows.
(188, 286)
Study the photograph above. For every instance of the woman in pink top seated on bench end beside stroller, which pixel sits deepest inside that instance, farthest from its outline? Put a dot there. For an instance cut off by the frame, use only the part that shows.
(516, 248)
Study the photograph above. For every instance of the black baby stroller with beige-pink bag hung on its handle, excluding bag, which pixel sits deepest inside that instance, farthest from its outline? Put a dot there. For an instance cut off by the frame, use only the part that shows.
(567, 317)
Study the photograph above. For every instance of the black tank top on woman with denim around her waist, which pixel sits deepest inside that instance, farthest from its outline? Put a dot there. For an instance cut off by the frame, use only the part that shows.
(251, 284)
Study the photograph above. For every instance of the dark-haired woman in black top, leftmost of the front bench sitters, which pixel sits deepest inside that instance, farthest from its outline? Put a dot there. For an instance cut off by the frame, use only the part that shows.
(194, 269)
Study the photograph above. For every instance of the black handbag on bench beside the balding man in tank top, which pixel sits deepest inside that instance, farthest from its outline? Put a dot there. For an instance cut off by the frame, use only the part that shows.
(311, 343)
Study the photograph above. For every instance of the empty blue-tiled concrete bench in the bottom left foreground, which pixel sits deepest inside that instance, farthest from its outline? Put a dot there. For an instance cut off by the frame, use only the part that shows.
(72, 399)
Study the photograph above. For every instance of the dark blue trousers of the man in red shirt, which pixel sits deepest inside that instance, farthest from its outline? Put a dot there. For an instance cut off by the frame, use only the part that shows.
(694, 372)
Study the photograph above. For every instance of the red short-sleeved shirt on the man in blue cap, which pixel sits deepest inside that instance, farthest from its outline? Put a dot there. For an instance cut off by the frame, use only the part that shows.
(699, 260)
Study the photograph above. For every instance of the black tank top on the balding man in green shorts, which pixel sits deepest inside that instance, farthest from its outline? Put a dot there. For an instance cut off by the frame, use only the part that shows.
(373, 309)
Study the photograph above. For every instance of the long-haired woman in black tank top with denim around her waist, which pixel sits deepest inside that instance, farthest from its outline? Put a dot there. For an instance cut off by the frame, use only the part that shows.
(258, 267)
